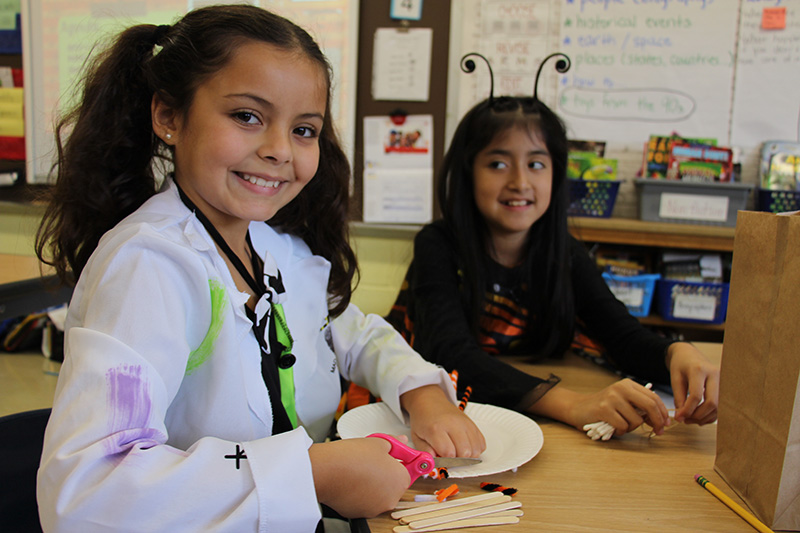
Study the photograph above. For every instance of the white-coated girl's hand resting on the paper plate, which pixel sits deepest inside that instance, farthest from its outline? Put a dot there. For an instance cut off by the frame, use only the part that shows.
(438, 426)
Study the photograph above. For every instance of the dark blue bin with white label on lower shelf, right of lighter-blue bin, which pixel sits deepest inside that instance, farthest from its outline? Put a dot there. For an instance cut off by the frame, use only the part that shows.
(692, 301)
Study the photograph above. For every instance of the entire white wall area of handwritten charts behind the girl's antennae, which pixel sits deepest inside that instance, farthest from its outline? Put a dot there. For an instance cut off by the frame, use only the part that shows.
(701, 68)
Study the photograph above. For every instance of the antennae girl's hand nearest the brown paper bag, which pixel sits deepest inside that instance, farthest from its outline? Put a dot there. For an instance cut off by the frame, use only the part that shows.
(695, 384)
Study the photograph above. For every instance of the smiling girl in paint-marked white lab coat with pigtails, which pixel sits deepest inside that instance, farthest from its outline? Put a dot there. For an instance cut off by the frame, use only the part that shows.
(204, 347)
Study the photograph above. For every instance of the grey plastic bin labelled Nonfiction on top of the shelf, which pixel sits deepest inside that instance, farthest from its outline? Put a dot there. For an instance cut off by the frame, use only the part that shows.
(711, 204)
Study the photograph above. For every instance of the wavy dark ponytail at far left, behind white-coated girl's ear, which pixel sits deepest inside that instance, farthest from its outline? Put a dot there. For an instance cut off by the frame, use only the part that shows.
(105, 149)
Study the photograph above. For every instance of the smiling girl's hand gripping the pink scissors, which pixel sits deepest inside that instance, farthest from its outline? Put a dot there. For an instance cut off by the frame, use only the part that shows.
(357, 477)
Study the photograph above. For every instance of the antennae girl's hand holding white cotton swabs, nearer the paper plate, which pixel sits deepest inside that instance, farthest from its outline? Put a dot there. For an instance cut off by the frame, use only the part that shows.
(624, 405)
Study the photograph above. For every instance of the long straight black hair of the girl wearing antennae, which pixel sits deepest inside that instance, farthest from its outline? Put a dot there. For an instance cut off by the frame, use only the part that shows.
(546, 259)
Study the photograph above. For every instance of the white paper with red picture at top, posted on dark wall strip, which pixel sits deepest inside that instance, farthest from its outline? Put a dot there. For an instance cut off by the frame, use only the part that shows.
(398, 170)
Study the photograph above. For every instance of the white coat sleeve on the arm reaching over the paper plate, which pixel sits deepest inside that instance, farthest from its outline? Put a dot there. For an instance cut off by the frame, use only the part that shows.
(372, 354)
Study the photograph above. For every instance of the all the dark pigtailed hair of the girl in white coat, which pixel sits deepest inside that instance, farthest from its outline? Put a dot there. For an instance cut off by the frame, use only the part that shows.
(106, 148)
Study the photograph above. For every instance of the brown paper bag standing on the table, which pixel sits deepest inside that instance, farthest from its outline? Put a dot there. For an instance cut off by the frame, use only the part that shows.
(758, 434)
